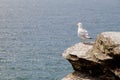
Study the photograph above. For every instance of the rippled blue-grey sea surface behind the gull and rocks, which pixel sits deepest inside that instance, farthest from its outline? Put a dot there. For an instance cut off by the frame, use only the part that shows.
(35, 33)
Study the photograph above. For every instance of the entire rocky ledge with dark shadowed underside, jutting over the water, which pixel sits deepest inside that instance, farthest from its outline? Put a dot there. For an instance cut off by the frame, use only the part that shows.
(95, 61)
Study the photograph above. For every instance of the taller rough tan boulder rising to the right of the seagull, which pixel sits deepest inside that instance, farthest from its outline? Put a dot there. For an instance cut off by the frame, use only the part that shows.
(107, 45)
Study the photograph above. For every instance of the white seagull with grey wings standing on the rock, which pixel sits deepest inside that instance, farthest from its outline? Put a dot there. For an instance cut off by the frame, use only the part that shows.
(82, 33)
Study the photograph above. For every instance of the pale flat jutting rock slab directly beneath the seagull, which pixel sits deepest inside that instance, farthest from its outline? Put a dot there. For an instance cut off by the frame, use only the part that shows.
(77, 51)
